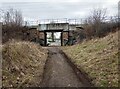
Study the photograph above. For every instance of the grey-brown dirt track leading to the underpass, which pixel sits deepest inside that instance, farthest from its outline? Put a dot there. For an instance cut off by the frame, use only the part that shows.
(58, 72)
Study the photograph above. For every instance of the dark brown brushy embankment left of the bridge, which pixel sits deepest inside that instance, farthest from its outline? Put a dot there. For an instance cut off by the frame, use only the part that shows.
(18, 33)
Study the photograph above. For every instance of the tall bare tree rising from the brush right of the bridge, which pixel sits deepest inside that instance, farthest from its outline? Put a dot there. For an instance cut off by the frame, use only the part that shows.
(94, 21)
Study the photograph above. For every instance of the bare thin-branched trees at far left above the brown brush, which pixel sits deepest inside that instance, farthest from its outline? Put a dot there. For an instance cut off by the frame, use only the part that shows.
(12, 24)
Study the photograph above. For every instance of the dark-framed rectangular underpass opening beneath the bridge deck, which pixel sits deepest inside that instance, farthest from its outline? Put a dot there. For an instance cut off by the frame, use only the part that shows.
(51, 40)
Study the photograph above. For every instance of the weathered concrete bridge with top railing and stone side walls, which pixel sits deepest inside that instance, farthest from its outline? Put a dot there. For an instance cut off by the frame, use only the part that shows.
(62, 28)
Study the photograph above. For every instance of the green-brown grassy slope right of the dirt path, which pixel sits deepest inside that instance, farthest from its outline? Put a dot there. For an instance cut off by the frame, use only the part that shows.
(98, 58)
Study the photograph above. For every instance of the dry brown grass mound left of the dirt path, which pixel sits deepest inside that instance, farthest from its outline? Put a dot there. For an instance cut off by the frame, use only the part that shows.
(22, 64)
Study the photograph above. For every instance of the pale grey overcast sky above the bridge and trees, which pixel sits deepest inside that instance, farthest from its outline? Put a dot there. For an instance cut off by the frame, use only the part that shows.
(53, 9)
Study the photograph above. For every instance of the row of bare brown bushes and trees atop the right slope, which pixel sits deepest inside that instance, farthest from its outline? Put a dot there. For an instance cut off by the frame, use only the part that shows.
(95, 25)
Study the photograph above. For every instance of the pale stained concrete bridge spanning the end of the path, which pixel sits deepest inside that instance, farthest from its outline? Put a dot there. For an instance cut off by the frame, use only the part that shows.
(63, 28)
